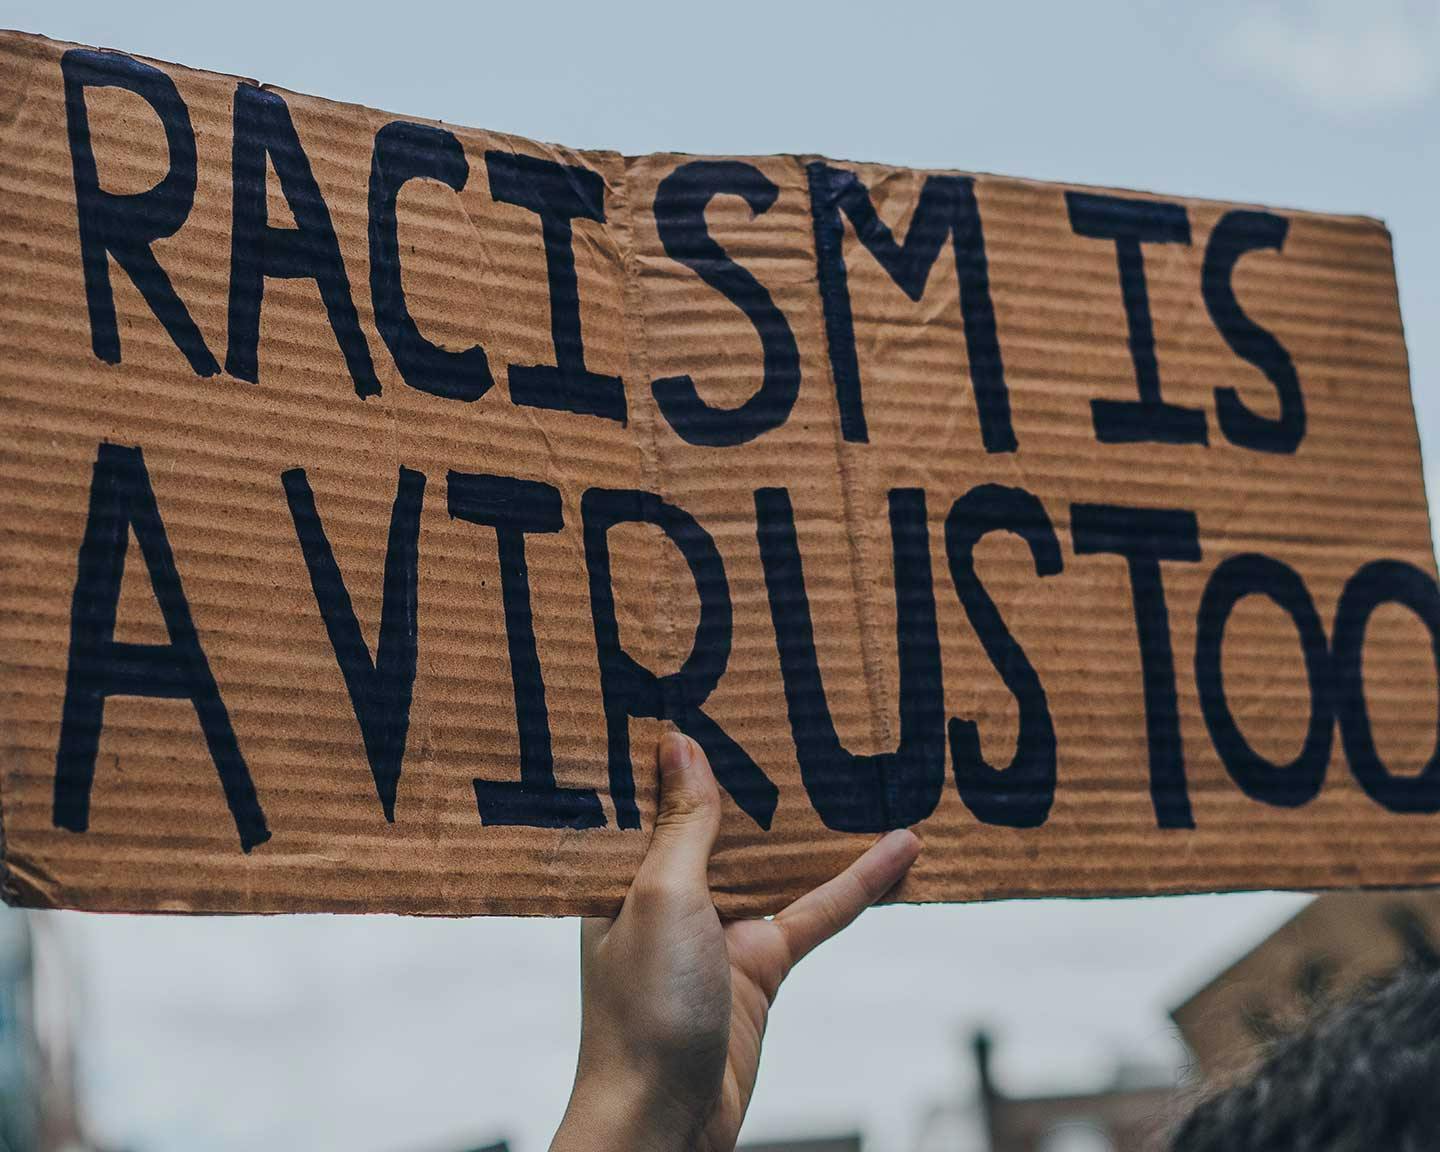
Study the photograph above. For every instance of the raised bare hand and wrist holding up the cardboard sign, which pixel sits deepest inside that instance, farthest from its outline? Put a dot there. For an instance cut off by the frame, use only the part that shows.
(676, 1002)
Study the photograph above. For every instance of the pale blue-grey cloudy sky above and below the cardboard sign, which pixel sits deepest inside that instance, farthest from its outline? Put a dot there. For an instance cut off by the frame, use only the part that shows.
(401, 1036)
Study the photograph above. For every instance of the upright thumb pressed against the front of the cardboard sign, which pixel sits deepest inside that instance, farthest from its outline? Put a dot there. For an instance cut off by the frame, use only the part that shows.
(689, 819)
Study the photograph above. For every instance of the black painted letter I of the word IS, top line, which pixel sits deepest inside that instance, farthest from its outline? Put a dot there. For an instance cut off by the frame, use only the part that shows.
(1131, 224)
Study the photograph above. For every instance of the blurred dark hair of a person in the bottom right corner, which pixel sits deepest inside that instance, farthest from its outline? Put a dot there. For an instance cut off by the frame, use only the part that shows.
(1363, 1076)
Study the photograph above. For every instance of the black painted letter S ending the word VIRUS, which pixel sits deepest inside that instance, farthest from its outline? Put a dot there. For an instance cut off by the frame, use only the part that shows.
(1022, 794)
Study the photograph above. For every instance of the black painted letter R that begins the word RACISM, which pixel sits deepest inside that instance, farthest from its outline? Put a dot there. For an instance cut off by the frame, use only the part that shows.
(126, 227)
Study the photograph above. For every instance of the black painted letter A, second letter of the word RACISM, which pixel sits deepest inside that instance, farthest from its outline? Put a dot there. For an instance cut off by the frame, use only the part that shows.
(263, 127)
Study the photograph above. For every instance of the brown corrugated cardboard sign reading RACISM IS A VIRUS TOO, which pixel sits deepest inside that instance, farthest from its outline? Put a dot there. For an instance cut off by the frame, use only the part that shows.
(378, 492)
